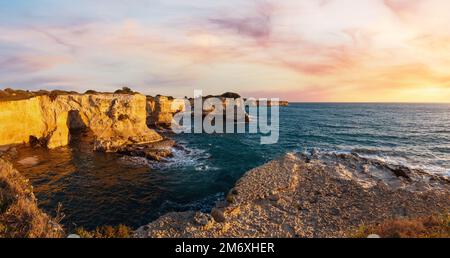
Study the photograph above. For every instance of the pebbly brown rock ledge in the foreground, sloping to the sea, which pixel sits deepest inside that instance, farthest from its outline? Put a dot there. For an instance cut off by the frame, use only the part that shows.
(323, 195)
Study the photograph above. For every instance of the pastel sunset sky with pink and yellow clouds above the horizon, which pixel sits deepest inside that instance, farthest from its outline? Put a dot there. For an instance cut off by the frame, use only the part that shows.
(296, 50)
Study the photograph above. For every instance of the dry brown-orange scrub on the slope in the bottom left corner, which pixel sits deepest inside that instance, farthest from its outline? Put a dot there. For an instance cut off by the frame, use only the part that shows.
(20, 216)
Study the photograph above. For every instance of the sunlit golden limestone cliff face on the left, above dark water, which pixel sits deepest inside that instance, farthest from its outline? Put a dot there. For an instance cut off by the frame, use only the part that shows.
(113, 119)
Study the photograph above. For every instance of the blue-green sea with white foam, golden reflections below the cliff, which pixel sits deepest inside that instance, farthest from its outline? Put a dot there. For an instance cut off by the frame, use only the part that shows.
(107, 189)
